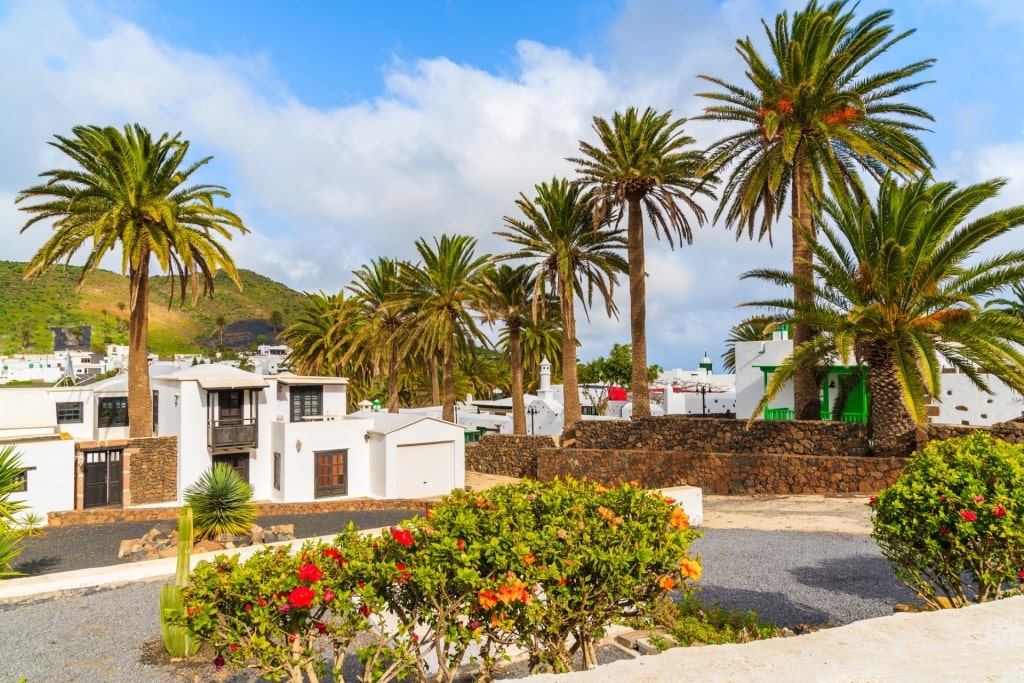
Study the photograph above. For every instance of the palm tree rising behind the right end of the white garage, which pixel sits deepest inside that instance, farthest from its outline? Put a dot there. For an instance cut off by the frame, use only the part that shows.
(443, 292)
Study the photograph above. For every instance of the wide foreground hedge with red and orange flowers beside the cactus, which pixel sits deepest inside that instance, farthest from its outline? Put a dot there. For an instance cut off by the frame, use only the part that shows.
(540, 568)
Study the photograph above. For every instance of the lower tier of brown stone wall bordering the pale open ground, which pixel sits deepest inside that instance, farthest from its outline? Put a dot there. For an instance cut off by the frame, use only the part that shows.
(724, 473)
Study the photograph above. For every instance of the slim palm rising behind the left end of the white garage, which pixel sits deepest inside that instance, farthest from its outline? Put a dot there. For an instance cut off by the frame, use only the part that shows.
(377, 288)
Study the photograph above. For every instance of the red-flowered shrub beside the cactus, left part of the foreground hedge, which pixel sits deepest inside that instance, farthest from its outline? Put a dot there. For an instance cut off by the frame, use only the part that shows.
(274, 611)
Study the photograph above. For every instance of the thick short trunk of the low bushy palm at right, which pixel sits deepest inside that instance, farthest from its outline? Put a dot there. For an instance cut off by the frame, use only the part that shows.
(891, 424)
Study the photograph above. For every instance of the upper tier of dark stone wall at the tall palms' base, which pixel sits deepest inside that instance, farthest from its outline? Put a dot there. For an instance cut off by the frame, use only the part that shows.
(719, 436)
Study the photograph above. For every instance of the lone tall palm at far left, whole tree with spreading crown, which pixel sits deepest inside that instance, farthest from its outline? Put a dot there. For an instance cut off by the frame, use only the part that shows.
(132, 190)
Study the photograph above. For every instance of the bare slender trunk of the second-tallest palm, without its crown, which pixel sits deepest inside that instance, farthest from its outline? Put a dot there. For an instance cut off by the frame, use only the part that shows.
(638, 311)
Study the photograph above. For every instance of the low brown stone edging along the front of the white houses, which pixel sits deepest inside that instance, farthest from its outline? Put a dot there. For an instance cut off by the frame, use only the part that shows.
(105, 516)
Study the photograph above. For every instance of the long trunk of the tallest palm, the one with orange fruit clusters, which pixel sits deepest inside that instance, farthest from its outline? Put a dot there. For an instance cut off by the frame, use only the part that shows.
(807, 402)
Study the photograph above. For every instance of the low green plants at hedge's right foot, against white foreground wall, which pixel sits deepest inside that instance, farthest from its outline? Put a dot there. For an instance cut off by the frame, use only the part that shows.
(691, 622)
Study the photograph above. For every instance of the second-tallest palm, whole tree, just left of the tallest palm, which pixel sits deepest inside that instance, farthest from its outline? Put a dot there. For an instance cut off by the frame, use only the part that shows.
(642, 163)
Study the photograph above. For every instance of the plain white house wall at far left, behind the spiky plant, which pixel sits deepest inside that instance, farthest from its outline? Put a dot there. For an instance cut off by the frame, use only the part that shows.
(50, 461)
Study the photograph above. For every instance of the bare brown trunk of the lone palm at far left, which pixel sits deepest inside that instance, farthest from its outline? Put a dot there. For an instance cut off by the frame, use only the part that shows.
(140, 397)
